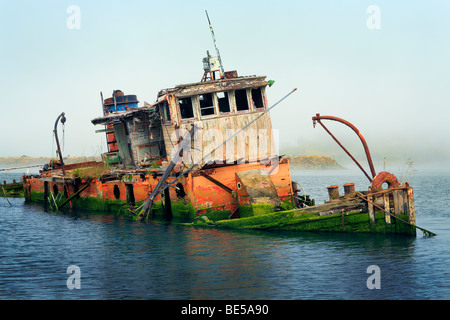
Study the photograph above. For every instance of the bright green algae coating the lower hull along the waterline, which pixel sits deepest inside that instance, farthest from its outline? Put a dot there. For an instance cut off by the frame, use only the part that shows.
(255, 217)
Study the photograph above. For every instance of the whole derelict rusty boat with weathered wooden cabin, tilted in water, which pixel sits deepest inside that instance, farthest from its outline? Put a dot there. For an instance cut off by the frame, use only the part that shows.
(165, 159)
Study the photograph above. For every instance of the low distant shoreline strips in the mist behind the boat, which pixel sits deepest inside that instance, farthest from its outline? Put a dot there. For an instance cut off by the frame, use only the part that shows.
(297, 162)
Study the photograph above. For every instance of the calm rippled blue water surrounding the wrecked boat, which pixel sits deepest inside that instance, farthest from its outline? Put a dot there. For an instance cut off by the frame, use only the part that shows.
(121, 259)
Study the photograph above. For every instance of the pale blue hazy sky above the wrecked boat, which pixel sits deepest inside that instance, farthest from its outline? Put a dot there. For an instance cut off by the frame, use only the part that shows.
(382, 65)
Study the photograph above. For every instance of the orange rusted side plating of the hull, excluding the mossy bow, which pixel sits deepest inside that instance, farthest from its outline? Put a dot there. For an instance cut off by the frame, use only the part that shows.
(210, 191)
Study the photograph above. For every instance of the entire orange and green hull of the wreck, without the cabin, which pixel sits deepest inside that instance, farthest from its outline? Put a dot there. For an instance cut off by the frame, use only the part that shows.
(240, 196)
